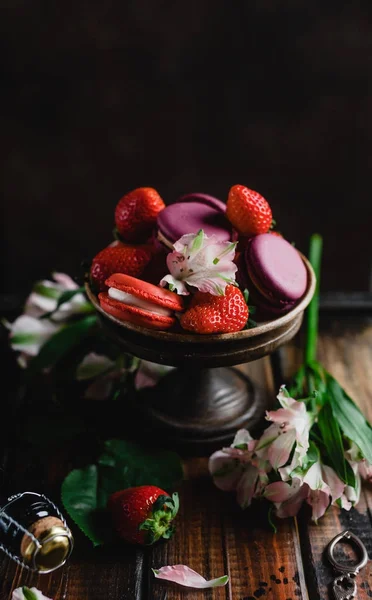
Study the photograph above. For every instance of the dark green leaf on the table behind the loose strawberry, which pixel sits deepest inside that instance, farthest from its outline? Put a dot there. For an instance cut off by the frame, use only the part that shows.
(123, 464)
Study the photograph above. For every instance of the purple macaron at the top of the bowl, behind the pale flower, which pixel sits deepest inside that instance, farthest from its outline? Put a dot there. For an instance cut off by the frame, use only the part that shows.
(191, 213)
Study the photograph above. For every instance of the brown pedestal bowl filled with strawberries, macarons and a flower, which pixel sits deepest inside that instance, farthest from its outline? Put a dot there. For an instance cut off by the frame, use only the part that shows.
(200, 285)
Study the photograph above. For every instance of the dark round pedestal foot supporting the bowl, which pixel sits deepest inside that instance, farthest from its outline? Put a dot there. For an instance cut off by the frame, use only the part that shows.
(201, 409)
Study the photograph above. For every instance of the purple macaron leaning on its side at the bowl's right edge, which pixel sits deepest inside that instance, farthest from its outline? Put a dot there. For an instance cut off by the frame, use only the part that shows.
(275, 274)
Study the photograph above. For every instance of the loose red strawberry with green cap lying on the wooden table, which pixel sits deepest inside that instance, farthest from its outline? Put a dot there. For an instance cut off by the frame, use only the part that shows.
(144, 514)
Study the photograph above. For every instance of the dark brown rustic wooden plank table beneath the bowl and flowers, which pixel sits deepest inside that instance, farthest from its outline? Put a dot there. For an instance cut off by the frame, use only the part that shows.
(214, 536)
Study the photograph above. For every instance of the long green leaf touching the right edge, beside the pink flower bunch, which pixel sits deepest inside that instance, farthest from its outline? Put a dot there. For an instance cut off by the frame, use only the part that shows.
(350, 418)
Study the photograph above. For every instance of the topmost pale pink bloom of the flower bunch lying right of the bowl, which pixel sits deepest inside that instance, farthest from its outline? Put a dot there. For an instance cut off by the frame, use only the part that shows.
(291, 425)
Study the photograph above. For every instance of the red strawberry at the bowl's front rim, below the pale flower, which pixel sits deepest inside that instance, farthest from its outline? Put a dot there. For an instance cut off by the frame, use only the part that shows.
(216, 314)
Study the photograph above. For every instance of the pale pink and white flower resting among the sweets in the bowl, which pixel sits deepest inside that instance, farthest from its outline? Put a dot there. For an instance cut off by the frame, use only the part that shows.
(202, 262)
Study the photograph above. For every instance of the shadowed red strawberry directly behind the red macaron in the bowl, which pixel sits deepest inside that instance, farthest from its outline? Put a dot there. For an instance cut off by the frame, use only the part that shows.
(130, 260)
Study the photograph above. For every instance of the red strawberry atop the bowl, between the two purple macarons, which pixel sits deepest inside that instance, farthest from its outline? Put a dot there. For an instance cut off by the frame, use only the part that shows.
(248, 211)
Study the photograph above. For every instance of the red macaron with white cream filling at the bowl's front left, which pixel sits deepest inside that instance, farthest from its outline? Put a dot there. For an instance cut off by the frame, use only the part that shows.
(139, 302)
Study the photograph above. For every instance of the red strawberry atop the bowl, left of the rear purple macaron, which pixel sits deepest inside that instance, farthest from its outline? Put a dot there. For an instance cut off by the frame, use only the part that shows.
(136, 213)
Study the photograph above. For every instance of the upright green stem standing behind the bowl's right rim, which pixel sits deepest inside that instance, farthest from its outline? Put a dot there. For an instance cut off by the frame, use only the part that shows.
(315, 255)
